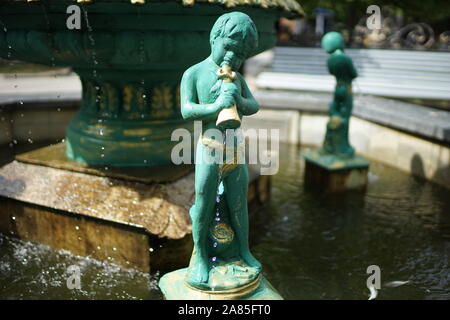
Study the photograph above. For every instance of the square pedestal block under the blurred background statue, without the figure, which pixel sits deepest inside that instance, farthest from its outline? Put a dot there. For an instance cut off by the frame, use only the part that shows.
(335, 174)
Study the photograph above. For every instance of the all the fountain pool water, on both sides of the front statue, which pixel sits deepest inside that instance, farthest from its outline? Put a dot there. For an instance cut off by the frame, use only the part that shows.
(312, 245)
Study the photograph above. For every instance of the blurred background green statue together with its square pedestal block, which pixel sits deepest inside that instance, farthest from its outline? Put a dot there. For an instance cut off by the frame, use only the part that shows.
(335, 167)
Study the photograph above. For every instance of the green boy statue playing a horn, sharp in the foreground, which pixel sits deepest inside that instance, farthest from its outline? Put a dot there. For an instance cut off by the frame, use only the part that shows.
(213, 93)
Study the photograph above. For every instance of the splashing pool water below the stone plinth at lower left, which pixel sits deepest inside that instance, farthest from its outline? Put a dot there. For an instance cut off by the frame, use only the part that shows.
(35, 271)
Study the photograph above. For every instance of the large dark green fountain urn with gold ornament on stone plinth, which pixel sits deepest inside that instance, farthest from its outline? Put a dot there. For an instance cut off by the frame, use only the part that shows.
(130, 56)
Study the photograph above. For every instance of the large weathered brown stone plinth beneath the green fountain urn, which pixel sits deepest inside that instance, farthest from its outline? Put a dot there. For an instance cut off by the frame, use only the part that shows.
(136, 217)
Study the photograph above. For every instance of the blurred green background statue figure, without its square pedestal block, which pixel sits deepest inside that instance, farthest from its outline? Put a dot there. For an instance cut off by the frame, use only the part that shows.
(341, 66)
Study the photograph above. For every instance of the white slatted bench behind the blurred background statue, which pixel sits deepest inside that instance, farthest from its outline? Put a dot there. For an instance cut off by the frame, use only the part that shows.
(388, 73)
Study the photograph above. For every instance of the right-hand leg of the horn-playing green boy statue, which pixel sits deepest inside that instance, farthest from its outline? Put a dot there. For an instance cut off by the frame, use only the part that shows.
(236, 187)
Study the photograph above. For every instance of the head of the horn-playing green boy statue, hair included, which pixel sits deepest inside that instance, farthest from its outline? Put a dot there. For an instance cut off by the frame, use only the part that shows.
(233, 39)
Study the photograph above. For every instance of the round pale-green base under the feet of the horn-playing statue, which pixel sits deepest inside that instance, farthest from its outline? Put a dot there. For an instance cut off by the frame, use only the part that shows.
(174, 287)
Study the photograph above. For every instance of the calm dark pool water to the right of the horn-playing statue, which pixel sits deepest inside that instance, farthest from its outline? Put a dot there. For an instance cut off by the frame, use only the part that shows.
(316, 246)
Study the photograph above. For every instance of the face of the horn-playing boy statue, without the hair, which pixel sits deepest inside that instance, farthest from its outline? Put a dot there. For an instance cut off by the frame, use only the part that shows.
(228, 50)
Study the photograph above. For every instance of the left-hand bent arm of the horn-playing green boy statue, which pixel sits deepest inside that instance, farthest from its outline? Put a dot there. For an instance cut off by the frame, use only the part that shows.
(191, 109)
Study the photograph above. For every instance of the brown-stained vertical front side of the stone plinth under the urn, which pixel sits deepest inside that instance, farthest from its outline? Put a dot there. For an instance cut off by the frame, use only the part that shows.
(121, 244)
